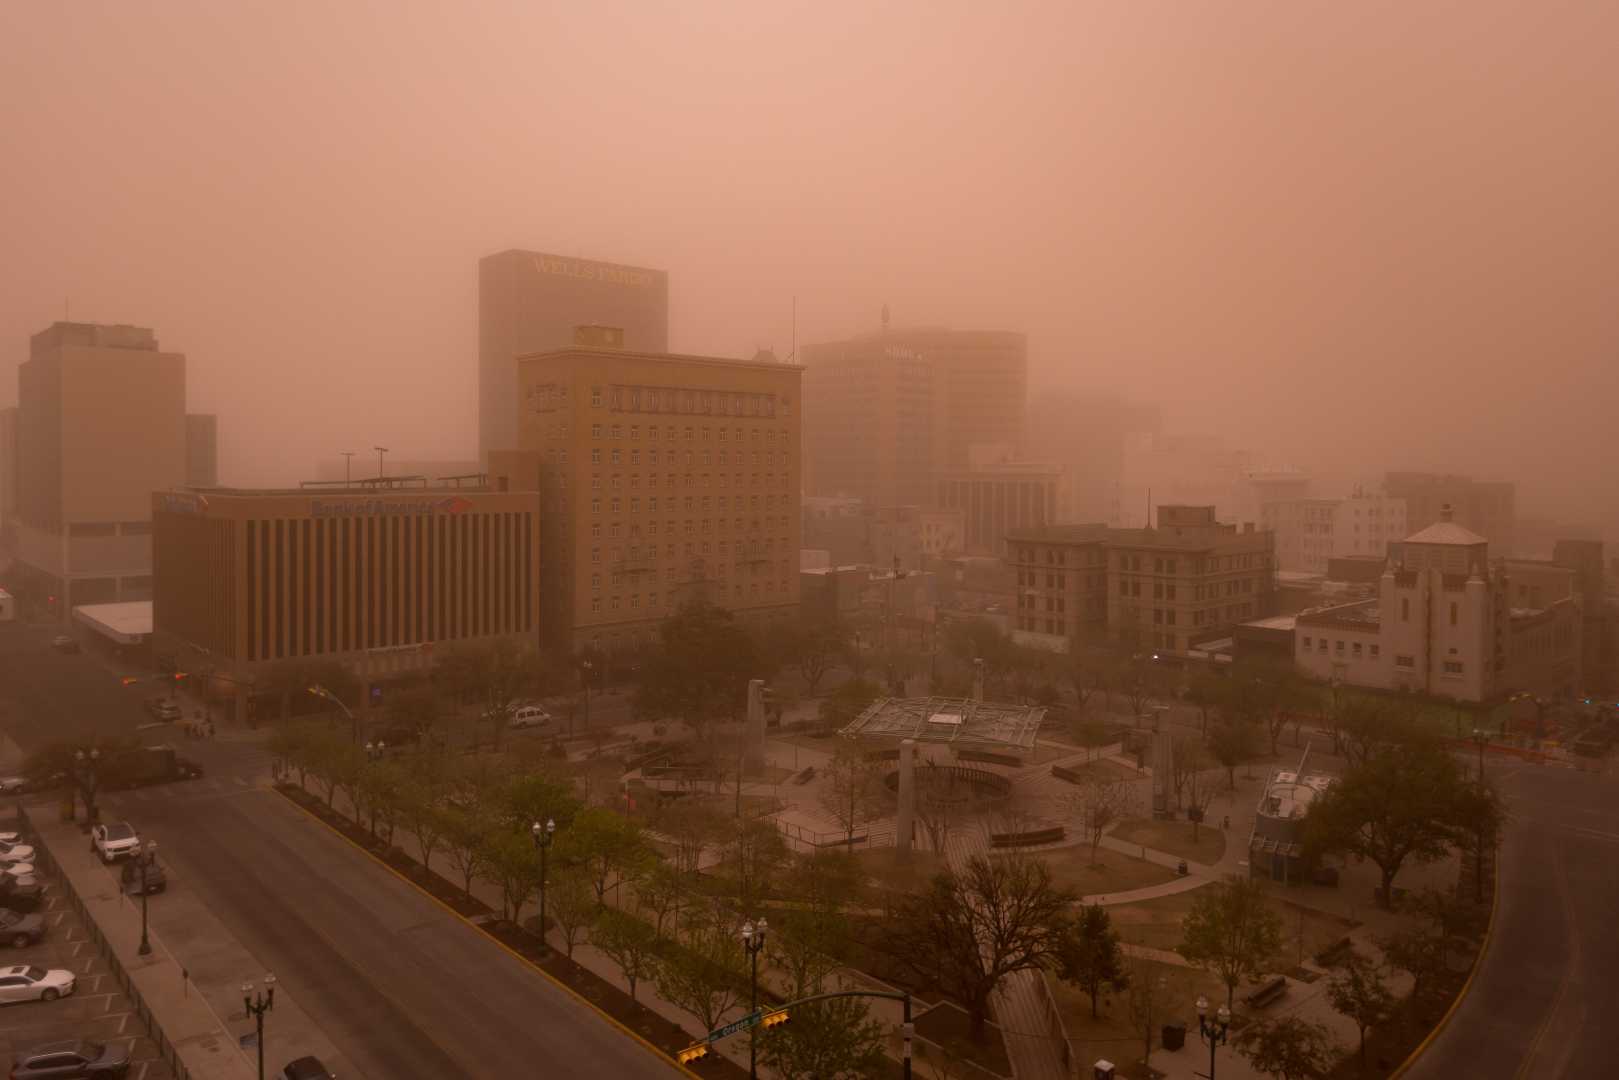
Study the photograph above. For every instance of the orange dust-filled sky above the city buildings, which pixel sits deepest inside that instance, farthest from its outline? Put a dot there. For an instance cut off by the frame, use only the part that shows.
(1325, 232)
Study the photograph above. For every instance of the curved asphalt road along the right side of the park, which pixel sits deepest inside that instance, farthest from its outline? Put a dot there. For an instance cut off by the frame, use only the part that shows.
(1539, 1003)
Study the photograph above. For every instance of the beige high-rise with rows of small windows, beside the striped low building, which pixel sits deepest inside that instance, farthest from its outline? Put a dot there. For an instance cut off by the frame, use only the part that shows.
(665, 478)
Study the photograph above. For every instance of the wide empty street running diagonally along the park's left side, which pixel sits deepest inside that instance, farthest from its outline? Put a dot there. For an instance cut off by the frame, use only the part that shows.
(397, 984)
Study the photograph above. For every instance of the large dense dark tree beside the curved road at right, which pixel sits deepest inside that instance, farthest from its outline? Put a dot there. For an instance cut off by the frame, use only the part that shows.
(1398, 806)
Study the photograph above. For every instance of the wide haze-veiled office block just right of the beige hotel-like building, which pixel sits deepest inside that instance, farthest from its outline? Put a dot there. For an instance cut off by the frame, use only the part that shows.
(890, 412)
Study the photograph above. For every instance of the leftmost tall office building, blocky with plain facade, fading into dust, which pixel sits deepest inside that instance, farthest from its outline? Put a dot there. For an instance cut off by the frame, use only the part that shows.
(103, 425)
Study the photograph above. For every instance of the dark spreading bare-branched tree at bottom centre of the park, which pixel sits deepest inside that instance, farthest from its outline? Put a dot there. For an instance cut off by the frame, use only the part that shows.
(975, 927)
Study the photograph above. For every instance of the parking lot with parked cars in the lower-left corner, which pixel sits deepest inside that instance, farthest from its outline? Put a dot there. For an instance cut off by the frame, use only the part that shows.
(98, 1010)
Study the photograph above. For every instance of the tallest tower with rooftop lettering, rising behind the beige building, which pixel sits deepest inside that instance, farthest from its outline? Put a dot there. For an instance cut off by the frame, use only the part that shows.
(530, 302)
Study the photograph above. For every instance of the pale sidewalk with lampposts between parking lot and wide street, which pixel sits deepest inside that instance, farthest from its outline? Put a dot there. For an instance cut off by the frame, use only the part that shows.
(192, 982)
